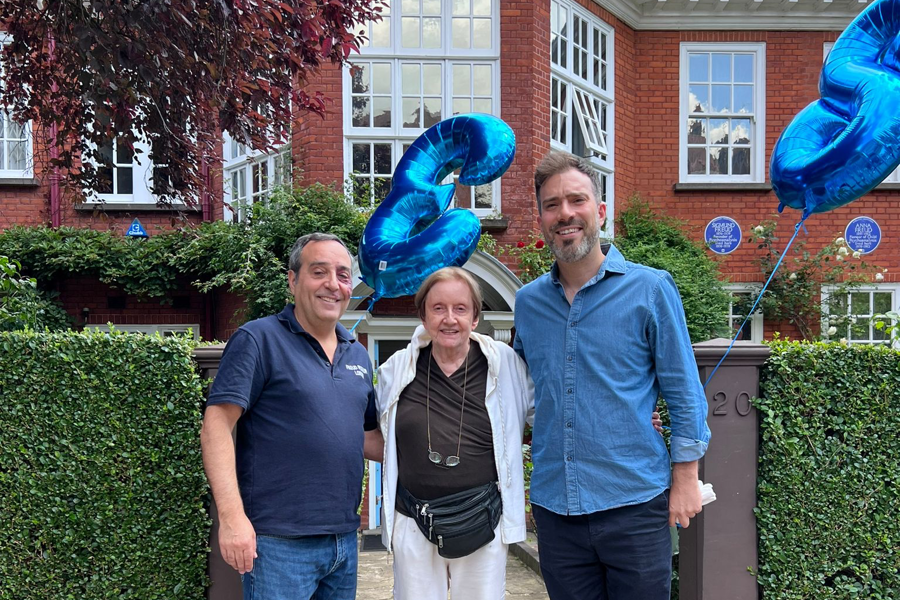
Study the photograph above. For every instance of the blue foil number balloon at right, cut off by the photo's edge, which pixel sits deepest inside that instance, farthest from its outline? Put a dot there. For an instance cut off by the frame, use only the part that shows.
(843, 145)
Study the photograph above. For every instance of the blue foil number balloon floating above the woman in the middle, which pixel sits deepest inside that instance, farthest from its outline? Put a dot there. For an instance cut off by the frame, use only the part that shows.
(412, 234)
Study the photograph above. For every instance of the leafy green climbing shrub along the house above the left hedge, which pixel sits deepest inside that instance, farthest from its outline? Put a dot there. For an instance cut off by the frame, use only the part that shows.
(249, 259)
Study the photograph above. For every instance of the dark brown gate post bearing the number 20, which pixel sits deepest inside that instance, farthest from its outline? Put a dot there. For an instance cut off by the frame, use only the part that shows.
(719, 550)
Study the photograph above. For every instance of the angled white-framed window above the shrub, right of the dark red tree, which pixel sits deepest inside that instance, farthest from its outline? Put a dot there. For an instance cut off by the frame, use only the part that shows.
(250, 176)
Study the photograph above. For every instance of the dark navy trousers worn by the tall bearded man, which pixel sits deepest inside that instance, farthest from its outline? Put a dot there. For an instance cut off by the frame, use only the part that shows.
(618, 554)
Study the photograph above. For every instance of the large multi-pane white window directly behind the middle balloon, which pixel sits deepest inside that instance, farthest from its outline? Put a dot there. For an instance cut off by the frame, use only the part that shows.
(425, 61)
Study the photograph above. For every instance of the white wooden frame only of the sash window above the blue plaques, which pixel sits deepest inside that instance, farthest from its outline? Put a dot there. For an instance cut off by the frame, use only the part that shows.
(758, 118)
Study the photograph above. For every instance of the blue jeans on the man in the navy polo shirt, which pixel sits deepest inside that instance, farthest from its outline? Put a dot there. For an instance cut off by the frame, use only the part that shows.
(314, 567)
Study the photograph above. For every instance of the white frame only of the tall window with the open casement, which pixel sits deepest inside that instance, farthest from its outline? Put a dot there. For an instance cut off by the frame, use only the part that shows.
(580, 93)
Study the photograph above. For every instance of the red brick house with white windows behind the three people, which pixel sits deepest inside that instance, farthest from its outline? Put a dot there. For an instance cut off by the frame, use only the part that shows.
(680, 101)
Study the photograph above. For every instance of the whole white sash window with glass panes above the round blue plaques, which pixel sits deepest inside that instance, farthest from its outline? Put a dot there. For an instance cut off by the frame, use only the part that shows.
(722, 107)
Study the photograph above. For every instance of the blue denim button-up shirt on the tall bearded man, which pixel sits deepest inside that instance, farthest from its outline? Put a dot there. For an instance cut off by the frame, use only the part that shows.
(599, 366)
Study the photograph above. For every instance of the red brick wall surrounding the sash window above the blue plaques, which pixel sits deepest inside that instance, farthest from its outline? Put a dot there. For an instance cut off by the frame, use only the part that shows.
(793, 61)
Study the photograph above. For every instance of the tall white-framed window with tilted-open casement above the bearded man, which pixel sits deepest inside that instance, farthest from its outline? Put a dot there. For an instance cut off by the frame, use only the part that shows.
(582, 88)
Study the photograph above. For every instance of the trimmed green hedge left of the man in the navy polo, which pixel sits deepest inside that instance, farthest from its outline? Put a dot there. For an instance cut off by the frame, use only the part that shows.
(102, 492)
